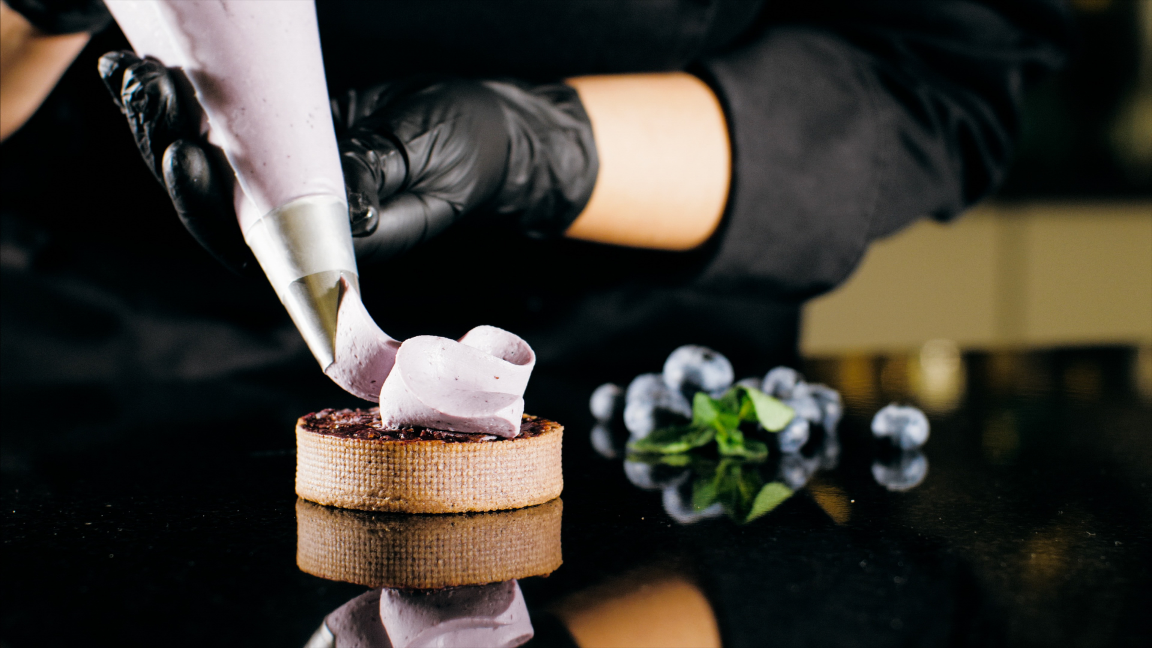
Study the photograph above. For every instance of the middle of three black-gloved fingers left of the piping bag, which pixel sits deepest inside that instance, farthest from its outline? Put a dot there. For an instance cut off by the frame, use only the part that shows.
(153, 103)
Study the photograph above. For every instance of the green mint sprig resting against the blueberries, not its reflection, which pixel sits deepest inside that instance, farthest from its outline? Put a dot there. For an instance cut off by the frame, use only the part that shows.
(719, 420)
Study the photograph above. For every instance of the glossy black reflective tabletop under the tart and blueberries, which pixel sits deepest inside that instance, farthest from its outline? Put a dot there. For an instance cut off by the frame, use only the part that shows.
(164, 515)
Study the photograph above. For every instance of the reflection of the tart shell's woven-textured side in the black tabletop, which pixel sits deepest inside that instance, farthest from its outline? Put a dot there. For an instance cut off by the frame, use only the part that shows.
(428, 552)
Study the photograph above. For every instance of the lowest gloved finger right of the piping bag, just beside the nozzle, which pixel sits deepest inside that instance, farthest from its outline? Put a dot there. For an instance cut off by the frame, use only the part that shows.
(406, 221)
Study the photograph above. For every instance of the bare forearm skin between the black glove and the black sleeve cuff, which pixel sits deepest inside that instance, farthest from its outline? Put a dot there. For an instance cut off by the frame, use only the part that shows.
(665, 161)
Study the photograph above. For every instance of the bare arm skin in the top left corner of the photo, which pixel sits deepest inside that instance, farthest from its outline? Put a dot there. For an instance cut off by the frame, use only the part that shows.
(31, 65)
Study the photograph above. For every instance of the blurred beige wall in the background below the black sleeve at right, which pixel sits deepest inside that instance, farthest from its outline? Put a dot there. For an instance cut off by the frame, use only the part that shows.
(1004, 276)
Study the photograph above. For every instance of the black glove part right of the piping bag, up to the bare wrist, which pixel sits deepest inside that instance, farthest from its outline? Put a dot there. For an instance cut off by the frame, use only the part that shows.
(513, 153)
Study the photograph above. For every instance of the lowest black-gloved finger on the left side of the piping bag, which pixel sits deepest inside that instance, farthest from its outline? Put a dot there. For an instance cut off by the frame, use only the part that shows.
(202, 194)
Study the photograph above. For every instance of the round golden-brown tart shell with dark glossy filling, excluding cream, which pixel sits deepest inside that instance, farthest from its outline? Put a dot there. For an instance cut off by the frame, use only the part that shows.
(345, 458)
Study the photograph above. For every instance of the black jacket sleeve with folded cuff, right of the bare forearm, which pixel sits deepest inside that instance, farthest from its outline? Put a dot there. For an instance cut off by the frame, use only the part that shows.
(851, 119)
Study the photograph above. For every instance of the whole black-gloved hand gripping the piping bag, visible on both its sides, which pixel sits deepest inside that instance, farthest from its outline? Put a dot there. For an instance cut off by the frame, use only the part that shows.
(418, 156)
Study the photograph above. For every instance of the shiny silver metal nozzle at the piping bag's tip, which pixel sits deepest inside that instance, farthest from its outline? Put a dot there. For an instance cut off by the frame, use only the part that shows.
(305, 248)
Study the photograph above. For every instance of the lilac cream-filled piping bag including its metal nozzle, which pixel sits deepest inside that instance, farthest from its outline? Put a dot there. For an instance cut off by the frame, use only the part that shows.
(259, 74)
